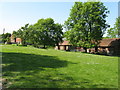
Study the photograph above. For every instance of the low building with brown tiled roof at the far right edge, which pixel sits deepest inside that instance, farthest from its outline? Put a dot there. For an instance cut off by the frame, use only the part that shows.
(109, 46)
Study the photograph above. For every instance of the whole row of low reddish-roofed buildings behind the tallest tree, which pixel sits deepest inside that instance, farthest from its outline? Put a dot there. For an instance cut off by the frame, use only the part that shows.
(106, 46)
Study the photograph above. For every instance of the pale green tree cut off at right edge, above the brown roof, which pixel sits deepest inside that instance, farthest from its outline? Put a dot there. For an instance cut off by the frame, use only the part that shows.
(115, 31)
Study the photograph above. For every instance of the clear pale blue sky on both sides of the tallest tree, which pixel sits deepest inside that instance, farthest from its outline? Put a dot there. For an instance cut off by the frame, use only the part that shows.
(14, 15)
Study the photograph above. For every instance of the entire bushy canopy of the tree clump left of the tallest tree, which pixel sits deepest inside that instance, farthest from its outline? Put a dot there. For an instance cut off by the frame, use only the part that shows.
(44, 32)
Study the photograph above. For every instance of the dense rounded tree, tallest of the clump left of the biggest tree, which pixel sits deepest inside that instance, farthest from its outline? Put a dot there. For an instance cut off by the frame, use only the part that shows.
(46, 32)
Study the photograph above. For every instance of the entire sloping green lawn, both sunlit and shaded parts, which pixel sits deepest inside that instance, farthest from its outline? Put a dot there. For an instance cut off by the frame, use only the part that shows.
(29, 67)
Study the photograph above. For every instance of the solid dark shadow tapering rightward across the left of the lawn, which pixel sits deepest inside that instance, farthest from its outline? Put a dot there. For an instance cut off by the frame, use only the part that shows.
(25, 62)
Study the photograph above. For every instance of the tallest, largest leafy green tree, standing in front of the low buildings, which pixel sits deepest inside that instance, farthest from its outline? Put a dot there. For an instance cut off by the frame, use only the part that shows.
(86, 24)
